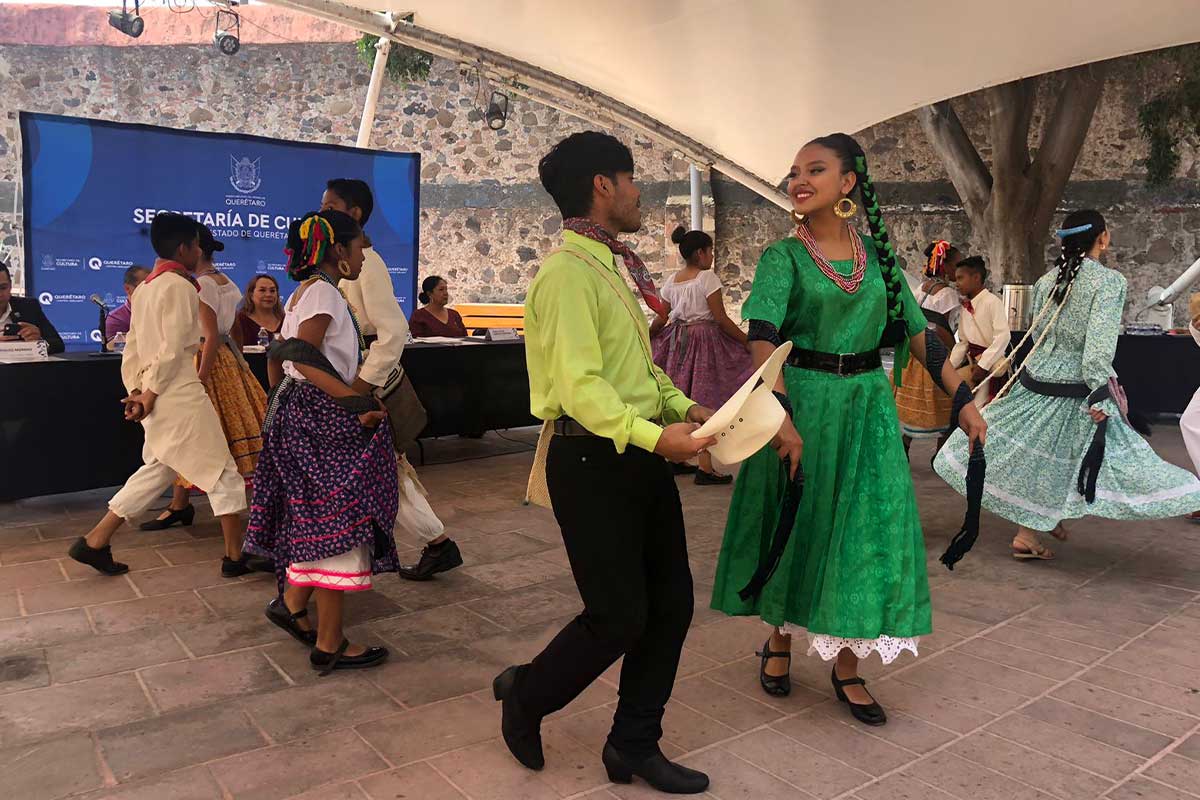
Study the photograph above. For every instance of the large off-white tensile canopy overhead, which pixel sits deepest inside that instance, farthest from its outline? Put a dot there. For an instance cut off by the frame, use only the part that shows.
(740, 86)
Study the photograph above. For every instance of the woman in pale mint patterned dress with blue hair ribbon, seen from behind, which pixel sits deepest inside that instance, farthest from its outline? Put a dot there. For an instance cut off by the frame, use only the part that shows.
(1060, 447)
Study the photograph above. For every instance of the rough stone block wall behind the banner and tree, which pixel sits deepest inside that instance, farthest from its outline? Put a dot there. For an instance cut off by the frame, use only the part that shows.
(487, 222)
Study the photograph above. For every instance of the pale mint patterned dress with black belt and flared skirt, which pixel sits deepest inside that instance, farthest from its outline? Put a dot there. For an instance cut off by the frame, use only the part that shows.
(1036, 443)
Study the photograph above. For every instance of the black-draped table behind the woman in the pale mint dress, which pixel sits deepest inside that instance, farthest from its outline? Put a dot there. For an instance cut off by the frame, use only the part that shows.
(1160, 374)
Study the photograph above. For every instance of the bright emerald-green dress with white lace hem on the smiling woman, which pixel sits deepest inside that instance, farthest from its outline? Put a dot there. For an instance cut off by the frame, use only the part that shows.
(854, 573)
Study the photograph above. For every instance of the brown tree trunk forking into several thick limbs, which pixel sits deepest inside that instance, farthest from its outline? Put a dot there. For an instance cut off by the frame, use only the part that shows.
(1011, 207)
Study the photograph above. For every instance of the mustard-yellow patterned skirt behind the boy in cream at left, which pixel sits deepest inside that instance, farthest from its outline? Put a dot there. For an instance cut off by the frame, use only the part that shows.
(241, 404)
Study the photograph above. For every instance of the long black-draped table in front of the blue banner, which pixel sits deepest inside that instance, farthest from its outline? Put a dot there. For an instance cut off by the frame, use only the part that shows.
(62, 426)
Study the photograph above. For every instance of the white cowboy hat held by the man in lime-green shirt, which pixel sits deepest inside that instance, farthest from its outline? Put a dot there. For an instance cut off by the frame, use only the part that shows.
(752, 418)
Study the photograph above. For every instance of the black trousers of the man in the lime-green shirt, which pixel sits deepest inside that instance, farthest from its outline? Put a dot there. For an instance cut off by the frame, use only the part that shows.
(623, 528)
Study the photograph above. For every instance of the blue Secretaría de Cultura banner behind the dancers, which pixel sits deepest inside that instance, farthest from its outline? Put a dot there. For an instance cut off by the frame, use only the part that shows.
(93, 188)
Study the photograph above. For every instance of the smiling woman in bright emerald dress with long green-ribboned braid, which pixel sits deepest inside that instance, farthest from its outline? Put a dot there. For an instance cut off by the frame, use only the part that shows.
(853, 575)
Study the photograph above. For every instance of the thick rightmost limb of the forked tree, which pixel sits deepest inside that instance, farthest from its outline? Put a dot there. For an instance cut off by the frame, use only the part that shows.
(1064, 133)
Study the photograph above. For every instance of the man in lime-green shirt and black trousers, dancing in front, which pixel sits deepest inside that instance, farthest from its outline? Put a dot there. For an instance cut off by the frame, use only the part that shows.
(614, 494)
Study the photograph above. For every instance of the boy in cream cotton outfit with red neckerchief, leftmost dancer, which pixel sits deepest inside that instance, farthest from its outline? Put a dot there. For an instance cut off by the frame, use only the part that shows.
(183, 434)
